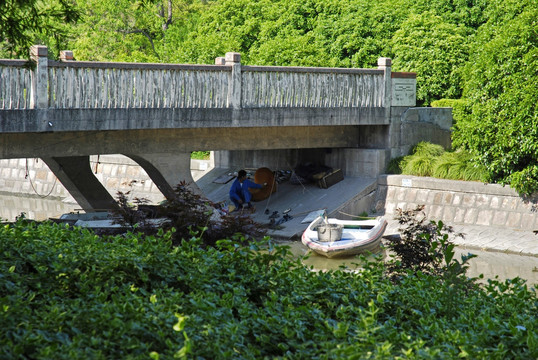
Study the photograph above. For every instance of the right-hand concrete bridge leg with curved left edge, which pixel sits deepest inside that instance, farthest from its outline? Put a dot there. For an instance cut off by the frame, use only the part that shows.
(167, 170)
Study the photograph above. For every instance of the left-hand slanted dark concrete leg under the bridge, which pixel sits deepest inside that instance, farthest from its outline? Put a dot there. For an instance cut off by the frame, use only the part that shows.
(75, 173)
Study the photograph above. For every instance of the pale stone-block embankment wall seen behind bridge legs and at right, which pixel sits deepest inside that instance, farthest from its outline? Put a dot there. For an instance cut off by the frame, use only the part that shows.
(453, 202)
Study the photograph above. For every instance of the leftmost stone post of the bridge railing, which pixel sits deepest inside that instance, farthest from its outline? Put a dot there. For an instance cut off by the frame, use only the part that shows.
(39, 94)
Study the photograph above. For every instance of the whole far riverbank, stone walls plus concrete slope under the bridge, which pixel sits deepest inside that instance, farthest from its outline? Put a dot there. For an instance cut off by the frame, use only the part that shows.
(492, 217)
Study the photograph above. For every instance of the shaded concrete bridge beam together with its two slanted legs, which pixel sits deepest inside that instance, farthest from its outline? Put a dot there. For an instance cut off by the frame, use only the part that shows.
(165, 153)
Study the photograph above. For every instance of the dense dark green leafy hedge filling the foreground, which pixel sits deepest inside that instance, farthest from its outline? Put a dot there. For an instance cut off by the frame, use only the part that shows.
(68, 294)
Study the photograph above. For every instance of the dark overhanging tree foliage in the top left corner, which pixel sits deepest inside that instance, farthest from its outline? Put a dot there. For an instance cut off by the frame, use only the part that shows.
(27, 22)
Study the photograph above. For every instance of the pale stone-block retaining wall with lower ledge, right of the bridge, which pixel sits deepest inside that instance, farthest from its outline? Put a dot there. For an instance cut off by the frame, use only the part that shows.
(492, 217)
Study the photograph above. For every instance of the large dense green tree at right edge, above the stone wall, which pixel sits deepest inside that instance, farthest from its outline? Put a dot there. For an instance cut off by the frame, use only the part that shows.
(501, 79)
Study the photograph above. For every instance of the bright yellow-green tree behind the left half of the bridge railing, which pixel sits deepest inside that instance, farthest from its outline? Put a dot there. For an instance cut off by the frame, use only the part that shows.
(129, 31)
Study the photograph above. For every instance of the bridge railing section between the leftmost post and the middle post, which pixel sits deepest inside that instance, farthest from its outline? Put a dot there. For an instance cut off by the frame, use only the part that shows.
(122, 85)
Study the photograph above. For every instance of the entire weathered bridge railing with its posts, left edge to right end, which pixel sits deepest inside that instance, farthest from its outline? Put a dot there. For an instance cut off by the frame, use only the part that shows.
(68, 84)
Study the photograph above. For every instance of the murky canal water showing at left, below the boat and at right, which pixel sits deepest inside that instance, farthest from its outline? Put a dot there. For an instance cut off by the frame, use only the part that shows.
(490, 264)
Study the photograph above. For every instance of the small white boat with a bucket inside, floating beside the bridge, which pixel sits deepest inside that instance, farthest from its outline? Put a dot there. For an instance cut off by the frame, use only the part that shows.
(337, 238)
